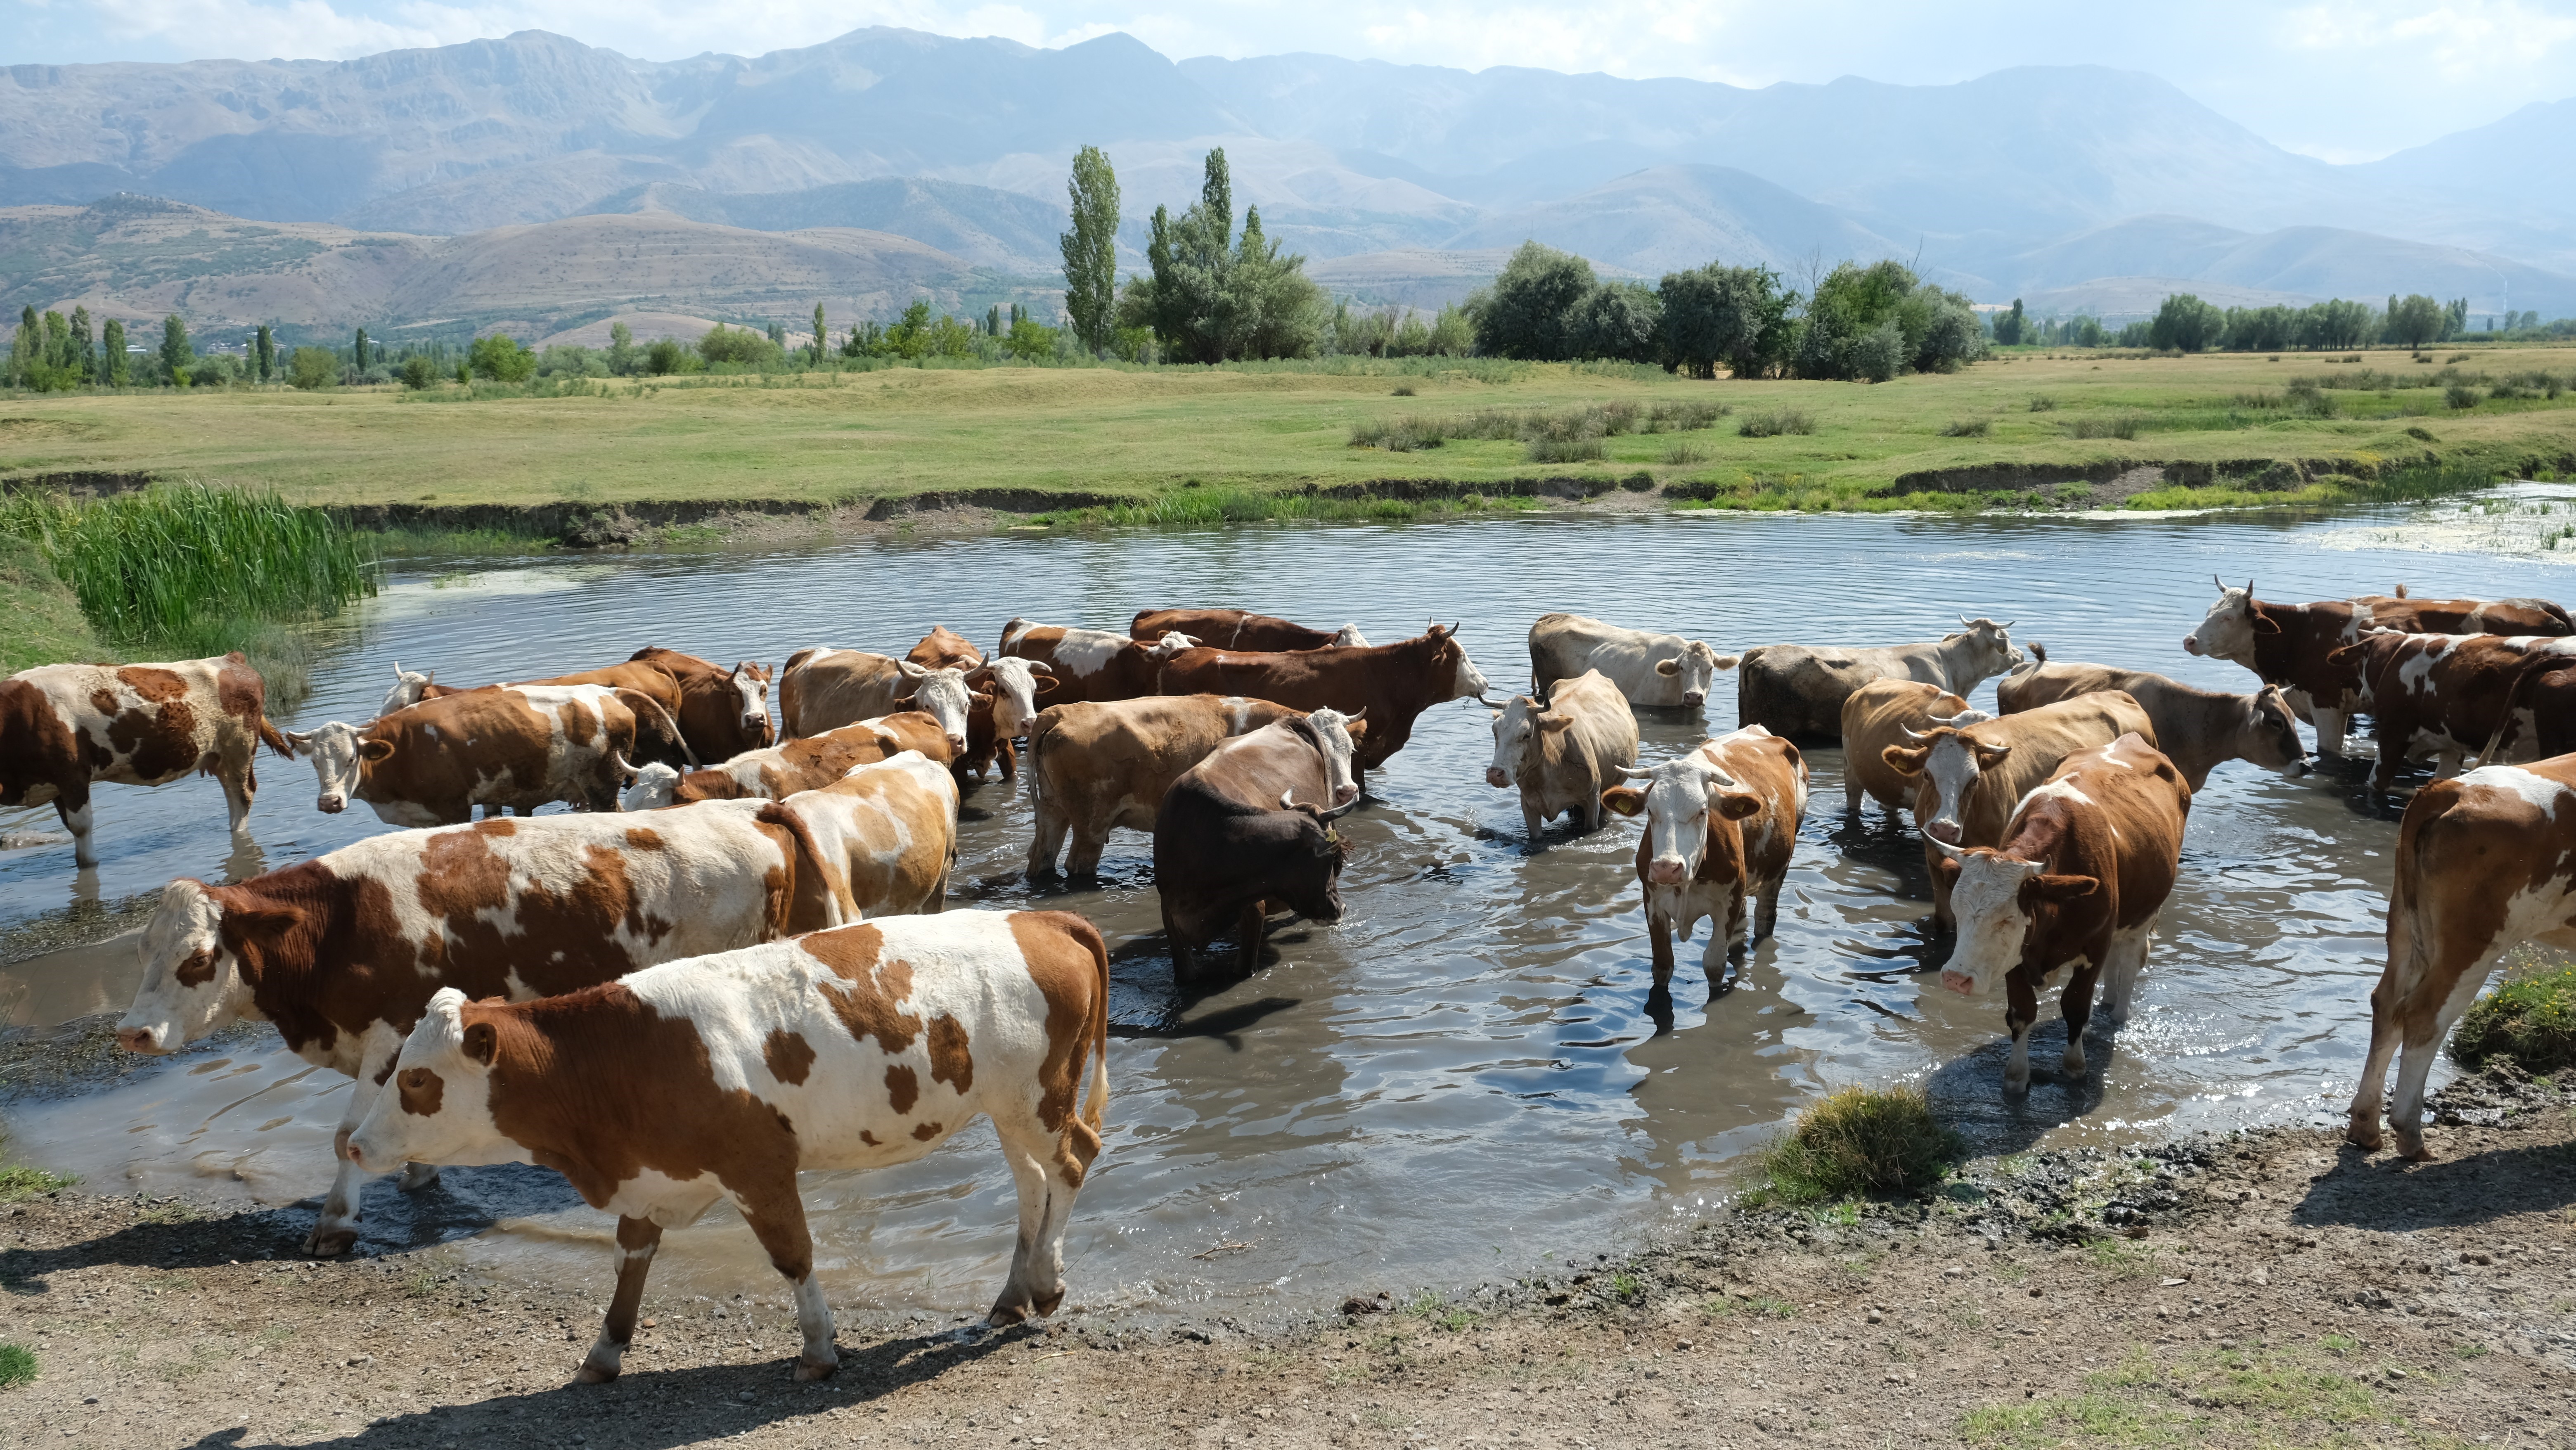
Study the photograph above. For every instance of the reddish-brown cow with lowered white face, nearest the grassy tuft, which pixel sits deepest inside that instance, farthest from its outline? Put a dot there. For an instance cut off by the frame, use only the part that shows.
(2075, 885)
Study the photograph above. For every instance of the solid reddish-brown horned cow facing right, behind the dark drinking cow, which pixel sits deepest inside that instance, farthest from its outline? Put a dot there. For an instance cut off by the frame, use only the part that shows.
(1390, 684)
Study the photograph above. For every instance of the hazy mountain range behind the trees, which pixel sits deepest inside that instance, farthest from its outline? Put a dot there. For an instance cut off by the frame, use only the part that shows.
(942, 164)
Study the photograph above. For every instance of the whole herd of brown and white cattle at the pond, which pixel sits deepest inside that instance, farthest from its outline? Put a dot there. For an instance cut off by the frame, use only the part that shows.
(733, 959)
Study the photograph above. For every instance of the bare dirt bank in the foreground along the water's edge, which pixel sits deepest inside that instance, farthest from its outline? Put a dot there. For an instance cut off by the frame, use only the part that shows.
(2266, 1289)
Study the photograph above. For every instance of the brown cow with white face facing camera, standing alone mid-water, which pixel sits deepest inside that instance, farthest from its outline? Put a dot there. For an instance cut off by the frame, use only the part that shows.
(1722, 825)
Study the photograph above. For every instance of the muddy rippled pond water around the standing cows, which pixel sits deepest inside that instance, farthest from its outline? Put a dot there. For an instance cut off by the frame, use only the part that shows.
(1462, 1075)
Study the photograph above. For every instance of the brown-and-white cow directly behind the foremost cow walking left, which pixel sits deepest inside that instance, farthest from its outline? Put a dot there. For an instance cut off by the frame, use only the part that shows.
(346, 949)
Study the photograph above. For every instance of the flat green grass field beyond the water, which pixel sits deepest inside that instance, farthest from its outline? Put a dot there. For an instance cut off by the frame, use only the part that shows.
(1264, 431)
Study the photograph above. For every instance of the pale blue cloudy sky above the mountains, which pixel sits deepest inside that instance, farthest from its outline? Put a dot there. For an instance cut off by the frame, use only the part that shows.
(2340, 79)
